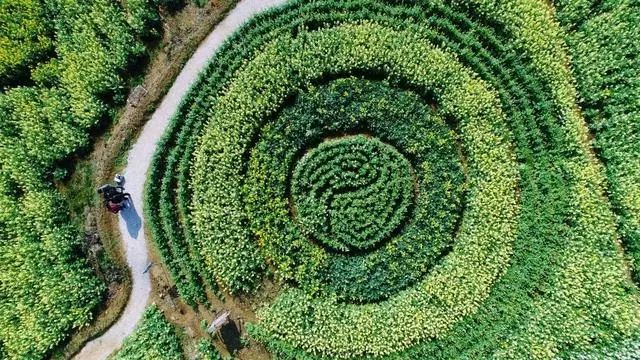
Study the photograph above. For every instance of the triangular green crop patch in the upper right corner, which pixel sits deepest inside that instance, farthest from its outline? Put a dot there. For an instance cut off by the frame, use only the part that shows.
(603, 41)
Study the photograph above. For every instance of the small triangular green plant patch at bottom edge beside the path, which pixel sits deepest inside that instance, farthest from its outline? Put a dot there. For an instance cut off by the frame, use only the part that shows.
(153, 339)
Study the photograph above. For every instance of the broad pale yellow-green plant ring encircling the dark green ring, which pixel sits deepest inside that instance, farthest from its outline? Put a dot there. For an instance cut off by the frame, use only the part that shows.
(481, 250)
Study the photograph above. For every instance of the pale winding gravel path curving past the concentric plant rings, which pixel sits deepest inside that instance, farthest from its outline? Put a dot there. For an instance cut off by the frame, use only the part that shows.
(140, 155)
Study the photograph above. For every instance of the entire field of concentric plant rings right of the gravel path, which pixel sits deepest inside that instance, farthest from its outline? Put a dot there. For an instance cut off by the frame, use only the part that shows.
(416, 178)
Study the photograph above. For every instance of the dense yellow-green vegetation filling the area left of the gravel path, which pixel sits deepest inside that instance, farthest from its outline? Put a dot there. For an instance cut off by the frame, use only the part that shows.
(63, 69)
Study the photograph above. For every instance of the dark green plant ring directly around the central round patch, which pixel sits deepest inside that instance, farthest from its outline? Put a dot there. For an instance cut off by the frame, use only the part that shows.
(399, 118)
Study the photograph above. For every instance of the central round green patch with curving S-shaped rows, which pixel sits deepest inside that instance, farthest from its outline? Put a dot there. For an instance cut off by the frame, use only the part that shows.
(352, 193)
